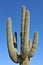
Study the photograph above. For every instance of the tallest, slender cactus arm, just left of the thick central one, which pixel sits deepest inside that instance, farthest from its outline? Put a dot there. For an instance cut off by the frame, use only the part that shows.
(22, 29)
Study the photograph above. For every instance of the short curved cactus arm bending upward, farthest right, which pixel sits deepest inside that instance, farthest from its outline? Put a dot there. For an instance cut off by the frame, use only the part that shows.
(34, 46)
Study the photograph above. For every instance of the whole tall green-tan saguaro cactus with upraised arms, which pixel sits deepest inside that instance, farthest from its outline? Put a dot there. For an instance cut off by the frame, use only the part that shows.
(28, 48)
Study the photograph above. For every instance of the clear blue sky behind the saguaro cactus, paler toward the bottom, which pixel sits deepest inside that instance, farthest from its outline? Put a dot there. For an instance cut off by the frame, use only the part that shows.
(12, 8)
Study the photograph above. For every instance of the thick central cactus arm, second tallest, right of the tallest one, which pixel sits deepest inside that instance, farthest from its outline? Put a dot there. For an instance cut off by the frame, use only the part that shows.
(26, 30)
